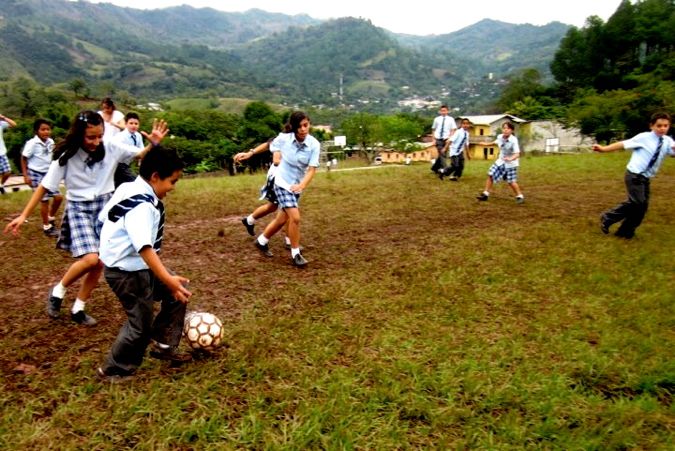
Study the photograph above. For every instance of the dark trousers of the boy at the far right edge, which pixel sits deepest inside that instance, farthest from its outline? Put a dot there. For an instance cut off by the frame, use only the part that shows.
(632, 211)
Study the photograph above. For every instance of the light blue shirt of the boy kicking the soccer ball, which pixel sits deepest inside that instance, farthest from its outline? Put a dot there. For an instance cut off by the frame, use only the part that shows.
(123, 239)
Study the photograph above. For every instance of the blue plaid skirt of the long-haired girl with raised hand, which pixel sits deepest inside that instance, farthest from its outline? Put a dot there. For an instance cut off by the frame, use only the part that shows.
(80, 227)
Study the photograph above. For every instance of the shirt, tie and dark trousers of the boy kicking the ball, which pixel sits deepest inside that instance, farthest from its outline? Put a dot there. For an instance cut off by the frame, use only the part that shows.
(132, 220)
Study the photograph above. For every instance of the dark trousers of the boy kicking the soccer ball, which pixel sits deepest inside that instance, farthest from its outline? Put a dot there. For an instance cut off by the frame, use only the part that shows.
(137, 291)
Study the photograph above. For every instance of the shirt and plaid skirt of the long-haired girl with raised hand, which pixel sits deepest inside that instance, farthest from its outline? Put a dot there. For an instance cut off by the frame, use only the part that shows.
(89, 185)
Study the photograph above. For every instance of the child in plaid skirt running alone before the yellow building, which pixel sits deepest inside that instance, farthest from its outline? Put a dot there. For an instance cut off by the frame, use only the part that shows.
(506, 166)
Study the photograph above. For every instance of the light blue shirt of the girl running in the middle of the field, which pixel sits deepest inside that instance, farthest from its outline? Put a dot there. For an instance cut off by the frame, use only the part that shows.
(296, 157)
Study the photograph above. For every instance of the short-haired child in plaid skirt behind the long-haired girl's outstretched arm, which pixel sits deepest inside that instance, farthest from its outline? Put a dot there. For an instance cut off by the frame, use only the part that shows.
(35, 160)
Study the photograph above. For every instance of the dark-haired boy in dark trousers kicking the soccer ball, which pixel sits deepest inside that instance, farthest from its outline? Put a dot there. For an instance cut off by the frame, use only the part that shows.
(131, 237)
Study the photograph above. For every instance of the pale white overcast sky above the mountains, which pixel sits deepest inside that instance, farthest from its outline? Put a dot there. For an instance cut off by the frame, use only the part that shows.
(420, 17)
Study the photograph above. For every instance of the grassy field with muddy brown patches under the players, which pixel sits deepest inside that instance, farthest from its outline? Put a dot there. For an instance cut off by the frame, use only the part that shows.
(425, 319)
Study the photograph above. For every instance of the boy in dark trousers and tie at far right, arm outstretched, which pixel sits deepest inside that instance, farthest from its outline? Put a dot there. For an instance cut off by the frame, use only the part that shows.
(649, 150)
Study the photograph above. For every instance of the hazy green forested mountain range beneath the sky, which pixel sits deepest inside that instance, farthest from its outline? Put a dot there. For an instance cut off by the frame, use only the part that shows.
(183, 51)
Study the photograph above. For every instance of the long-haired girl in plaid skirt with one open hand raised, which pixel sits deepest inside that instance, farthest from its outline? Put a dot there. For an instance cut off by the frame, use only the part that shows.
(86, 164)
